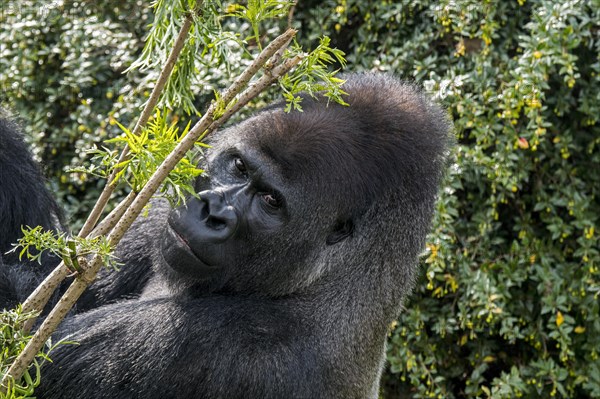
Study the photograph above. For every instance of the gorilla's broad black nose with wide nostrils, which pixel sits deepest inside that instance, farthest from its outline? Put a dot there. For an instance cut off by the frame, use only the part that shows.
(218, 216)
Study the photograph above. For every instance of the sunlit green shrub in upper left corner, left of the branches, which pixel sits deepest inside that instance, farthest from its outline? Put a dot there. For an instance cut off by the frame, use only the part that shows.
(61, 71)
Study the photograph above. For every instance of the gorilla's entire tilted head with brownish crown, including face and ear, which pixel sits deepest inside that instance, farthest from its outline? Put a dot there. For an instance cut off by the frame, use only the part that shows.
(293, 199)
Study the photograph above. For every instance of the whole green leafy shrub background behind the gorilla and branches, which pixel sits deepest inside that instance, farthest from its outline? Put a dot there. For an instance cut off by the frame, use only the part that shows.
(508, 303)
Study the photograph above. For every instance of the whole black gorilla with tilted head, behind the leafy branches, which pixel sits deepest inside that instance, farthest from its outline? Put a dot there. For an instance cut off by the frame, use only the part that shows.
(280, 280)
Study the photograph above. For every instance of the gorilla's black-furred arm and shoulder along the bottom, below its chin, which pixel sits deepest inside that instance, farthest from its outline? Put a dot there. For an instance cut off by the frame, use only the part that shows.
(212, 347)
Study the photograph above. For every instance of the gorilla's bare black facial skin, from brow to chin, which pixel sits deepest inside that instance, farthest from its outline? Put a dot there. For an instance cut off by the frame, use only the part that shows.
(242, 203)
